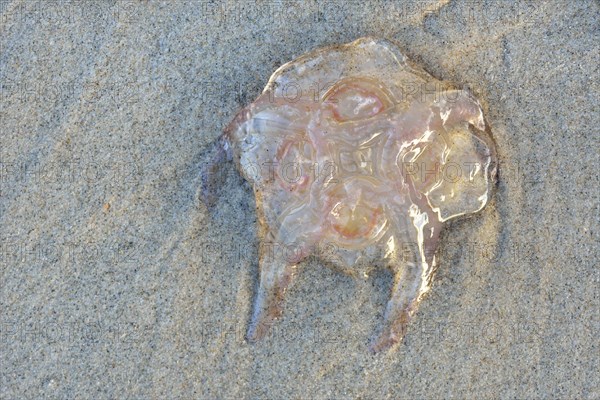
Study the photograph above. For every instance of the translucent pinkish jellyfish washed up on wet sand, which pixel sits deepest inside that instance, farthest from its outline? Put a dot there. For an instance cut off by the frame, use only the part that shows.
(355, 147)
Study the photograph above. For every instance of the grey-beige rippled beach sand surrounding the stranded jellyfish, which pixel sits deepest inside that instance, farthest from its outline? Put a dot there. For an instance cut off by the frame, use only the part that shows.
(117, 283)
